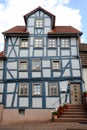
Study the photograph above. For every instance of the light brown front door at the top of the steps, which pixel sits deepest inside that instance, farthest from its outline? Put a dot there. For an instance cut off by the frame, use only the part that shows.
(75, 93)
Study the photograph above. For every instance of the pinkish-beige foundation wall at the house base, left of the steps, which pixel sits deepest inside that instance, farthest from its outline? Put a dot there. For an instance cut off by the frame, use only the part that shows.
(12, 115)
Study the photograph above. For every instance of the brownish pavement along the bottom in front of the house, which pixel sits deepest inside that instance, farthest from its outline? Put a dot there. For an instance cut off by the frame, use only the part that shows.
(42, 126)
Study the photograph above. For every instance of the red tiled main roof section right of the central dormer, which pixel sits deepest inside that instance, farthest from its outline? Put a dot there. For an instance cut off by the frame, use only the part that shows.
(64, 30)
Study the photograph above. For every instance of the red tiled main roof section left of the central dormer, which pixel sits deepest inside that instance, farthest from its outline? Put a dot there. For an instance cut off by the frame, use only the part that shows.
(17, 30)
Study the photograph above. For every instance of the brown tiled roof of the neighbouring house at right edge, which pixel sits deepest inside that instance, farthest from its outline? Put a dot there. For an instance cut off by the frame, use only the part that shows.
(83, 54)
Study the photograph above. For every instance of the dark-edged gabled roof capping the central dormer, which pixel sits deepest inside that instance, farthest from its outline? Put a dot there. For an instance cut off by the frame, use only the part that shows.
(43, 10)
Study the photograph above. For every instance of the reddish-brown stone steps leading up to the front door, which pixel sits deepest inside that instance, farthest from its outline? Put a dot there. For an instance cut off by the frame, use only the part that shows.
(74, 113)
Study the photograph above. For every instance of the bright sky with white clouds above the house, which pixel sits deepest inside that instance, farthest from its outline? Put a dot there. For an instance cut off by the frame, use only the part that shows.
(67, 12)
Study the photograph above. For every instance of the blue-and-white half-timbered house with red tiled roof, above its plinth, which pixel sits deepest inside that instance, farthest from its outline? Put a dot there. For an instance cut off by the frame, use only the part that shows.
(42, 68)
